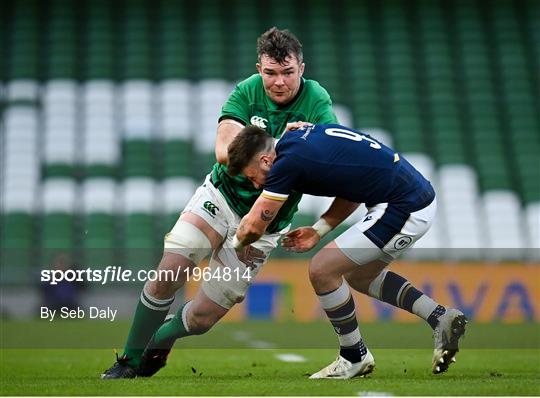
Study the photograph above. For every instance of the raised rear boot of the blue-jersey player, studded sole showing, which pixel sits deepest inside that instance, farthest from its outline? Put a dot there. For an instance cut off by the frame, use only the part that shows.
(446, 335)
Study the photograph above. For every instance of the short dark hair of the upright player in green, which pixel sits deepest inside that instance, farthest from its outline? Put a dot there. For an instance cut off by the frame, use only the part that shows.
(279, 45)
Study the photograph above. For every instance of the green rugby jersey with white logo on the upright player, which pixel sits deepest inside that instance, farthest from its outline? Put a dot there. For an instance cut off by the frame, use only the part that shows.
(249, 104)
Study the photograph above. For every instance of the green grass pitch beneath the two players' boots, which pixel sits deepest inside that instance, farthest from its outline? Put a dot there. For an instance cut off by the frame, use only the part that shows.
(240, 371)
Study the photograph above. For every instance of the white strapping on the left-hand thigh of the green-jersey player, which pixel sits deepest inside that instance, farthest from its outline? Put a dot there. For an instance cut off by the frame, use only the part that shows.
(188, 241)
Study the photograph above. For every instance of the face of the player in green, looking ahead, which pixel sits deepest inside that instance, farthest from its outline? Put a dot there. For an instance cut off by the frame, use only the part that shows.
(281, 81)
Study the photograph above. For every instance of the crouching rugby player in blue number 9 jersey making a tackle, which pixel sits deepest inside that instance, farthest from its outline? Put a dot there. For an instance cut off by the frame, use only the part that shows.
(336, 161)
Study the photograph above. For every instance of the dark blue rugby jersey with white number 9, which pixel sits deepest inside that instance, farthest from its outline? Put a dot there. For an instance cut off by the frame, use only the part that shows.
(333, 160)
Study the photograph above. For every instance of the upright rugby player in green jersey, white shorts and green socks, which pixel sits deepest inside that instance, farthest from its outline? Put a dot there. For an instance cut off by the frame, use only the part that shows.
(275, 97)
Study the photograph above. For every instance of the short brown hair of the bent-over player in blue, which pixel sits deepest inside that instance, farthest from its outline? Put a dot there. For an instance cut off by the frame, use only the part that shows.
(249, 142)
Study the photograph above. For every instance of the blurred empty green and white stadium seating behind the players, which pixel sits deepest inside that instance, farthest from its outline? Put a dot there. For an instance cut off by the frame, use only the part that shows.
(109, 112)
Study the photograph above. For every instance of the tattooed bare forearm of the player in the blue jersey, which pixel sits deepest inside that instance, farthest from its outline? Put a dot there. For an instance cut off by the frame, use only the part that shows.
(254, 224)
